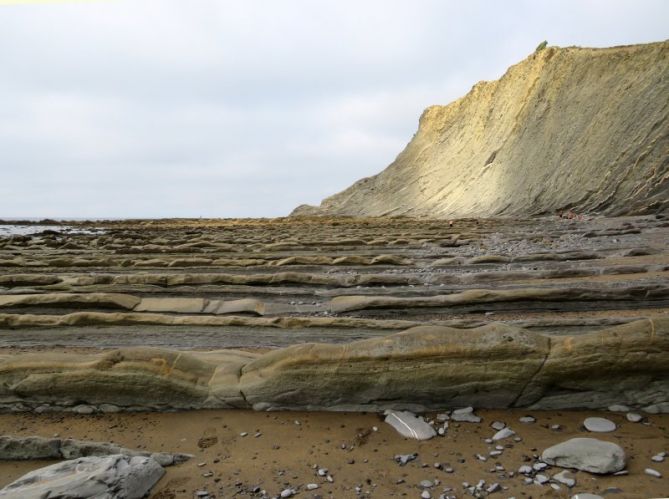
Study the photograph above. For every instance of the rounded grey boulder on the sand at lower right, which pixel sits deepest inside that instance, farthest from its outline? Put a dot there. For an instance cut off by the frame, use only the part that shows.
(586, 454)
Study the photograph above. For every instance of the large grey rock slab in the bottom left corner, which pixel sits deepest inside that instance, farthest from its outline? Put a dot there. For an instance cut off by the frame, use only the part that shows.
(109, 477)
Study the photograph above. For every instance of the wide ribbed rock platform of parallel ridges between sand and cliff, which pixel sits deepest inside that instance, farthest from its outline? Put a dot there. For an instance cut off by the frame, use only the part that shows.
(336, 314)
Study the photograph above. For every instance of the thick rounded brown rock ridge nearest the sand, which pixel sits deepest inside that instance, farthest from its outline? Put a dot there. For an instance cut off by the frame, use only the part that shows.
(428, 367)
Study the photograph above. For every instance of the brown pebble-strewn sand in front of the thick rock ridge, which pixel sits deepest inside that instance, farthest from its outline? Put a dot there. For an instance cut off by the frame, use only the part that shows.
(278, 453)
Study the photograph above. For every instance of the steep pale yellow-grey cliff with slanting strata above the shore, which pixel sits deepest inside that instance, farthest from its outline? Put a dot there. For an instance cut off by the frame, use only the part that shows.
(579, 128)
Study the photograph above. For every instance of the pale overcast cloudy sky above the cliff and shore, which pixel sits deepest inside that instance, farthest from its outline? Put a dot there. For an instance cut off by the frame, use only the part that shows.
(217, 108)
